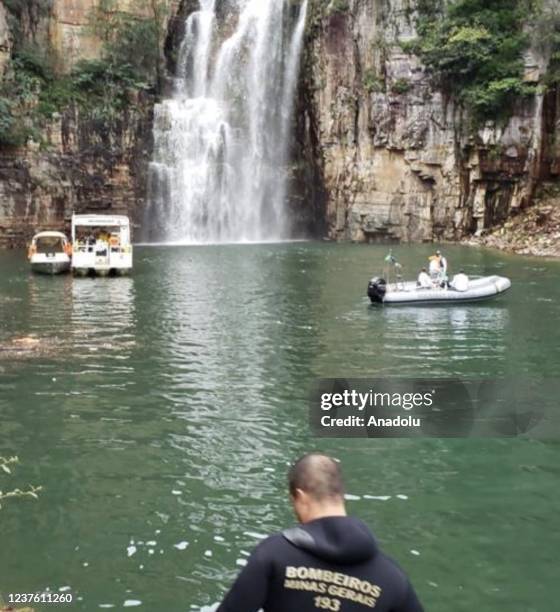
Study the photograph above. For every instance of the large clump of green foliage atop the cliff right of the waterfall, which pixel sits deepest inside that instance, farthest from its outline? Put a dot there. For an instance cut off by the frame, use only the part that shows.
(474, 51)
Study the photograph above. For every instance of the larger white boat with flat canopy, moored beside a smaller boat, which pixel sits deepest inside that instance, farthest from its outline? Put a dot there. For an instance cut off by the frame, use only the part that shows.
(101, 245)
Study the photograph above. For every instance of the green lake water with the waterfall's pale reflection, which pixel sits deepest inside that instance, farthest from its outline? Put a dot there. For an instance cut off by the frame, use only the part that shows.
(160, 412)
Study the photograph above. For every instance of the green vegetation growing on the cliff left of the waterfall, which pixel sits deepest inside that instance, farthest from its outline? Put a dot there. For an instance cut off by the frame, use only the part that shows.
(33, 90)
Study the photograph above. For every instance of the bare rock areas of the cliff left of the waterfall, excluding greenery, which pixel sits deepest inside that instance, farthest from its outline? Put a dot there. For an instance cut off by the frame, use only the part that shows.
(83, 162)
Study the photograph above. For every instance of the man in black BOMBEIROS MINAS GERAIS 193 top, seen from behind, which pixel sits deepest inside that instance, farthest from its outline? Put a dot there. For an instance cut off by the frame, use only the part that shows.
(330, 561)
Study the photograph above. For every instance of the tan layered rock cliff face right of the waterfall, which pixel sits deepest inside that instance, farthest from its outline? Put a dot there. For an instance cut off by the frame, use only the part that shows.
(396, 157)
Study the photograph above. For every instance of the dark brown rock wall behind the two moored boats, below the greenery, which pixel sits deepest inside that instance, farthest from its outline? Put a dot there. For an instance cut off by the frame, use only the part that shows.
(85, 165)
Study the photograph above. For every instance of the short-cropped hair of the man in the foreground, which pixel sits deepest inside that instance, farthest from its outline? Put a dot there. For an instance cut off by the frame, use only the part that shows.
(318, 475)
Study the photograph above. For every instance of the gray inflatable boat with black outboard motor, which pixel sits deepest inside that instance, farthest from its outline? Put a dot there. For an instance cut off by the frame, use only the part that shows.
(402, 293)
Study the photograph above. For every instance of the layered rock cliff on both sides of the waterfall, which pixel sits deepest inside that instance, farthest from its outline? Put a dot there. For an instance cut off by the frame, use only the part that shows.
(381, 151)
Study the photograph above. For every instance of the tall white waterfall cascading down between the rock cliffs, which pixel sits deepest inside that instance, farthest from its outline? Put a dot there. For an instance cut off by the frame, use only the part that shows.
(221, 141)
